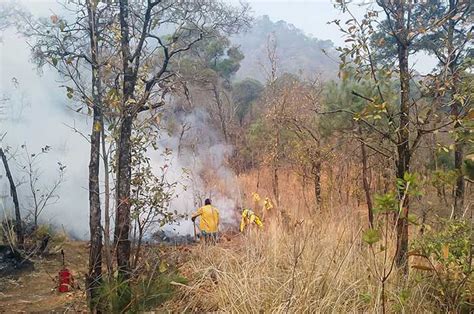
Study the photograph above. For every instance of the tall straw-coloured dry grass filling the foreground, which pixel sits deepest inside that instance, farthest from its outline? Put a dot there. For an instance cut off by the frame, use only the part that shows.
(318, 265)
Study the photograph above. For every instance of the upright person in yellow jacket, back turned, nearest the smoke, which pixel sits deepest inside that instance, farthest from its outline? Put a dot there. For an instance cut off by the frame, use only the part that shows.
(208, 222)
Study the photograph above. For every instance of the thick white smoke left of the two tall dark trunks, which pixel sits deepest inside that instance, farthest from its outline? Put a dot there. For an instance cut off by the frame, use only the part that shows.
(36, 114)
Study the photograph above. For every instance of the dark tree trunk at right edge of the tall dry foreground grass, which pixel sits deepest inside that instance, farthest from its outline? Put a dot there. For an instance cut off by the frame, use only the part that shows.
(403, 149)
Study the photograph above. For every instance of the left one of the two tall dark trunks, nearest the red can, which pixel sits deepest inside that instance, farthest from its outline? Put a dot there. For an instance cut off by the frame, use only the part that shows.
(94, 276)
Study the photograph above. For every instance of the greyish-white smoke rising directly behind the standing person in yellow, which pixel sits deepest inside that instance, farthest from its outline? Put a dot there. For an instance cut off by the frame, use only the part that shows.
(201, 154)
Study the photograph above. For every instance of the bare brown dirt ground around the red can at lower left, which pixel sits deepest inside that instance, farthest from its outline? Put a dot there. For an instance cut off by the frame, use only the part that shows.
(36, 290)
